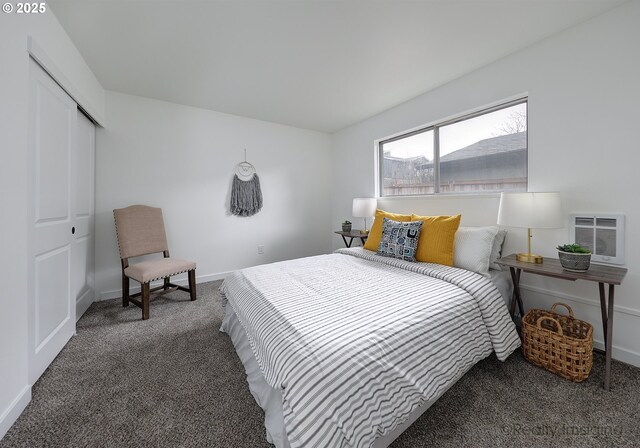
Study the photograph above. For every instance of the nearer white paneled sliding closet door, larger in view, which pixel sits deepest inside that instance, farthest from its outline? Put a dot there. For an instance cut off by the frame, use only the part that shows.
(52, 147)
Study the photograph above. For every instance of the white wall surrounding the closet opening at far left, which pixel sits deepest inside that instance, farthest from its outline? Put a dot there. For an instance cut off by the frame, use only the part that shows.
(15, 392)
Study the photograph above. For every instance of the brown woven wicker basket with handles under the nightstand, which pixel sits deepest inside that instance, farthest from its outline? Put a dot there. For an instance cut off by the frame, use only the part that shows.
(561, 344)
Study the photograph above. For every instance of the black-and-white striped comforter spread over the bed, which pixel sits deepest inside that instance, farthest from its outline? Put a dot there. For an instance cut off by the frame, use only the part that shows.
(356, 341)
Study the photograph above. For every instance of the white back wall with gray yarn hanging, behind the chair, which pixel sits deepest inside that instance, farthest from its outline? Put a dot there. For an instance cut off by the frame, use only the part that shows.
(182, 159)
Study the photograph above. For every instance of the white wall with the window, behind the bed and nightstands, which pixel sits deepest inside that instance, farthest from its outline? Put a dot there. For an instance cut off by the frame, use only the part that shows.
(584, 90)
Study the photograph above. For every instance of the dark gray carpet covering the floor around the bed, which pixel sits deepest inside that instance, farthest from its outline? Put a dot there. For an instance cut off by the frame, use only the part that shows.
(175, 381)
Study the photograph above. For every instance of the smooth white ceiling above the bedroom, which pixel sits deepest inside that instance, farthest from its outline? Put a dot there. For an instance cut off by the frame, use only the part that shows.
(320, 64)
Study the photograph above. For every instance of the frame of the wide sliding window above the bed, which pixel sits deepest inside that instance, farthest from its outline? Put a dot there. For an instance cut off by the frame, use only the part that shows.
(435, 127)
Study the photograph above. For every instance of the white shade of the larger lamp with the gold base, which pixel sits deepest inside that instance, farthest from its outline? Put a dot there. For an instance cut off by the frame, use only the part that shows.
(532, 210)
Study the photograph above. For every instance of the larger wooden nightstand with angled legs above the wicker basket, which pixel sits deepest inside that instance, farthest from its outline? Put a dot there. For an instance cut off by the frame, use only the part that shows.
(551, 267)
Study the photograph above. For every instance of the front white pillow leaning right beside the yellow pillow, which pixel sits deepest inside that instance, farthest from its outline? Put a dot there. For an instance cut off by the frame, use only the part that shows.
(472, 249)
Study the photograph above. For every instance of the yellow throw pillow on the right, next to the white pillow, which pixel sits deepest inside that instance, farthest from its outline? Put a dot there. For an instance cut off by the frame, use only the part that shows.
(437, 238)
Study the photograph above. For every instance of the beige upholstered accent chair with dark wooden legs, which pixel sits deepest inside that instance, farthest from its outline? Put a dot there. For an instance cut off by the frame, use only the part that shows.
(140, 231)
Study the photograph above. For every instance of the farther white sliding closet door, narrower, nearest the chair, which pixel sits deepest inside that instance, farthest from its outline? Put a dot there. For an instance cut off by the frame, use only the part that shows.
(83, 245)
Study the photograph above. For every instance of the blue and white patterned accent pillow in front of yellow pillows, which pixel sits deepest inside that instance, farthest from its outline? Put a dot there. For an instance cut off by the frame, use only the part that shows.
(399, 239)
